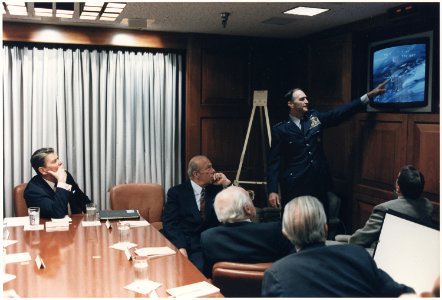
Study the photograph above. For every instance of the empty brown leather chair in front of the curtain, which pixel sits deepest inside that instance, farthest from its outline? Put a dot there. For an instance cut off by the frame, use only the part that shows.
(148, 198)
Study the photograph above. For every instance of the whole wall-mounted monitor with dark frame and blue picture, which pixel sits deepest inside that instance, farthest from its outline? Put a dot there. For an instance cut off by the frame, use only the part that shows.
(406, 64)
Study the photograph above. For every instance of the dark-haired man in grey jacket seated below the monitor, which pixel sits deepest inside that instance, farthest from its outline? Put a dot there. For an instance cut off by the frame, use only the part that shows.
(409, 187)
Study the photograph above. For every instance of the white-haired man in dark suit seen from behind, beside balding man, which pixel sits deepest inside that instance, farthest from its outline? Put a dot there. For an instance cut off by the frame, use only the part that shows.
(239, 239)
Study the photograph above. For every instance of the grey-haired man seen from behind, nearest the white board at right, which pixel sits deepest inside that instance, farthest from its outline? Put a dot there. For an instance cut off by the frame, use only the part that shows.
(316, 270)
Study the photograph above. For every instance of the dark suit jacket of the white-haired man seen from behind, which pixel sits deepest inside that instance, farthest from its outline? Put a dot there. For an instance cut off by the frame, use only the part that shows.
(244, 242)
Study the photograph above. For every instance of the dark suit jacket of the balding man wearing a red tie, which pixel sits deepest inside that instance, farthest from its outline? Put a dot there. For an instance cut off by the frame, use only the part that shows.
(182, 223)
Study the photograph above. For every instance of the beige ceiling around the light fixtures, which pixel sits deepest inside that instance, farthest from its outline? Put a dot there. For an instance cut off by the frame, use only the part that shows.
(257, 19)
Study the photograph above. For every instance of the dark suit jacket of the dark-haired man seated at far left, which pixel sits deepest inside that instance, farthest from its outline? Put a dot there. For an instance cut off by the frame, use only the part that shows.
(55, 204)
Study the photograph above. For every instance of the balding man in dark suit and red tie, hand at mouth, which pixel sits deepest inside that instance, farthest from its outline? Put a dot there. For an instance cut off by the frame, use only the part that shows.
(189, 208)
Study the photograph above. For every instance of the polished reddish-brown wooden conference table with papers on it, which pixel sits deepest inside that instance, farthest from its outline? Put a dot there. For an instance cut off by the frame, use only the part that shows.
(80, 263)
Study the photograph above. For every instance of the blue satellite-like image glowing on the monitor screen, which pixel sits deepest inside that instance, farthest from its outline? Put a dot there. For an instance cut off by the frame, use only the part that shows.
(404, 67)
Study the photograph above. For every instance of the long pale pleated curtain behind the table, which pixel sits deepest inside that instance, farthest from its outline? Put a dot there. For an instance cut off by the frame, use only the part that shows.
(113, 117)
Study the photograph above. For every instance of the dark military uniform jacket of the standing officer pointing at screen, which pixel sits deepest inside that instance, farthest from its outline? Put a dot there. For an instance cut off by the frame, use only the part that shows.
(296, 157)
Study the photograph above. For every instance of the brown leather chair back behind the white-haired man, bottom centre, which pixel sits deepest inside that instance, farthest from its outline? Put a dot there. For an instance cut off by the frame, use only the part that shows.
(239, 279)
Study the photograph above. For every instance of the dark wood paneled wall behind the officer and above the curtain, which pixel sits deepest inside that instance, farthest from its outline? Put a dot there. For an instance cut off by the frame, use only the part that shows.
(365, 153)
